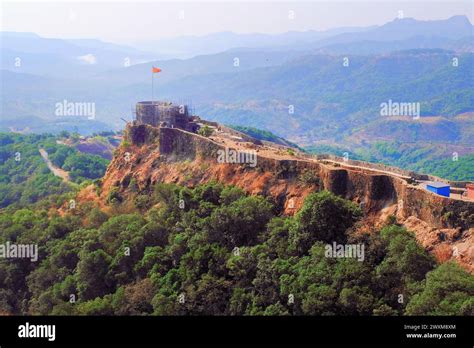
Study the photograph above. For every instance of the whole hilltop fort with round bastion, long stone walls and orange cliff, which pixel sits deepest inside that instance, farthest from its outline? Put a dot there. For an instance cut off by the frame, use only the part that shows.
(162, 150)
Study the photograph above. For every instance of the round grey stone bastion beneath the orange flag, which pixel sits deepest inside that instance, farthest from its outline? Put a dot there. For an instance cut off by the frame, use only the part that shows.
(166, 114)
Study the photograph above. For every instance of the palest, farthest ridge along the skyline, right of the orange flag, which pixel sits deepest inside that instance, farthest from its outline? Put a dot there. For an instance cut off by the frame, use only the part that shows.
(437, 32)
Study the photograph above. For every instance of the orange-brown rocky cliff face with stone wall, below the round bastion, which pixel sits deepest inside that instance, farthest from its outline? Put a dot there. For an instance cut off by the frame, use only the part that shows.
(169, 155)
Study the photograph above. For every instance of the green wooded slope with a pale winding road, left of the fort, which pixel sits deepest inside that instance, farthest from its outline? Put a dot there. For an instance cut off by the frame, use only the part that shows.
(25, 177)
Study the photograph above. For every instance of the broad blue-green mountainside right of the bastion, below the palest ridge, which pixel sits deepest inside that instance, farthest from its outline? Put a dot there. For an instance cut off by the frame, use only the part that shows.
(330, 100)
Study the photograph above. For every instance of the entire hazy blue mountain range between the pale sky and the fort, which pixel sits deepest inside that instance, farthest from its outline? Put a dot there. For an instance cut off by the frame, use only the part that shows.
(257, 79)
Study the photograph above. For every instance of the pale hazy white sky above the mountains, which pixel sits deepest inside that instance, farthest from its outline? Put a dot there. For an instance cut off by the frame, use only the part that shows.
(127, 21)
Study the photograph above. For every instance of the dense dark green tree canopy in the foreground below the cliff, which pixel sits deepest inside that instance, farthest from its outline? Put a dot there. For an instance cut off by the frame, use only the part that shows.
(214, 250)
